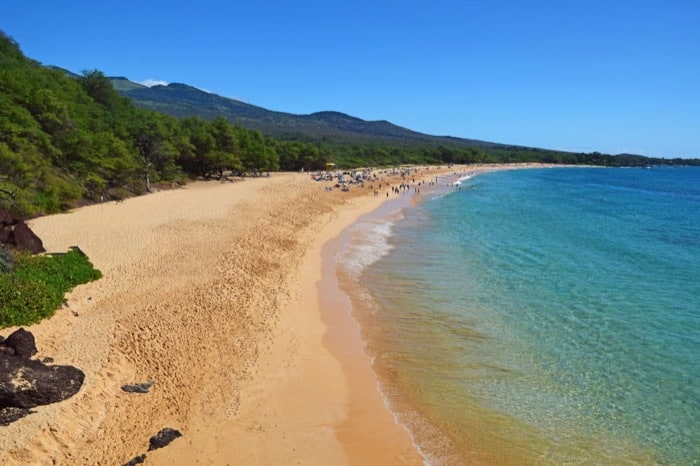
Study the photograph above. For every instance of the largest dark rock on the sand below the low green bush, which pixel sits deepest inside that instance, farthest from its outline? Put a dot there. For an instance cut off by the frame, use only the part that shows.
(26, 383)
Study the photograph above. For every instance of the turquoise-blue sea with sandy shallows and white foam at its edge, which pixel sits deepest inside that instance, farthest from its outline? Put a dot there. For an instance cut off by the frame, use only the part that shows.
(538, 316)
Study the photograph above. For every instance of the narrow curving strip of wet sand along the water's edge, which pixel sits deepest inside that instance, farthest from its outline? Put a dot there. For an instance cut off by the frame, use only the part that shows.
(345, 331)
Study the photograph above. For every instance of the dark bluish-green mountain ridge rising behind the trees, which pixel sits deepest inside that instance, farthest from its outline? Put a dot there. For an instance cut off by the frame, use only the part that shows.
(181, 100)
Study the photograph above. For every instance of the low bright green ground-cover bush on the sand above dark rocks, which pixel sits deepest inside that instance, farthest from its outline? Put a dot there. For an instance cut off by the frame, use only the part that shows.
(37, 286)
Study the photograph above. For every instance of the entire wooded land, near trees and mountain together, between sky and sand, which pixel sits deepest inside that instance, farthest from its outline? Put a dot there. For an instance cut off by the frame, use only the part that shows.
(68, 139)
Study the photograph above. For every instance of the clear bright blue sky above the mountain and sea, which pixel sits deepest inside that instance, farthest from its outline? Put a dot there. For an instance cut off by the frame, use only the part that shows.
(609, 76)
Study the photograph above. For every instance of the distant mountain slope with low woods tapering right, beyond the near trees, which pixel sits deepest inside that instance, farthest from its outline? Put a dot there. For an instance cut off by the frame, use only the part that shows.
(351, 141)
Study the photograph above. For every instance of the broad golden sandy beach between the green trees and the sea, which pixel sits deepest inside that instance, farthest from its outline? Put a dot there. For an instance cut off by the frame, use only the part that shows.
(223, 295)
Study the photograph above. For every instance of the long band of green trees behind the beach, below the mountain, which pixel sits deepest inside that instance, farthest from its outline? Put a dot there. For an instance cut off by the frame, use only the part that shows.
(65, 141)
